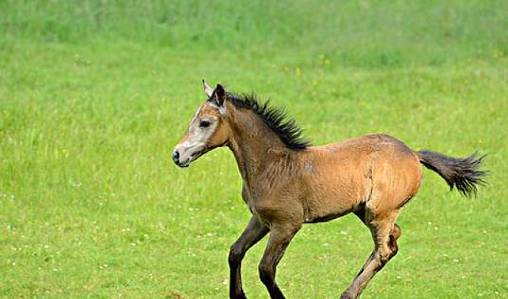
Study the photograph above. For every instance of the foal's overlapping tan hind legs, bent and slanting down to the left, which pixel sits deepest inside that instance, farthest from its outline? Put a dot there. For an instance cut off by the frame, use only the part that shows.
(385, 234)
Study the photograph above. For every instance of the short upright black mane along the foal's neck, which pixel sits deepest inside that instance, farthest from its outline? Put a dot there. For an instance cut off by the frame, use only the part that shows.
(275, 118)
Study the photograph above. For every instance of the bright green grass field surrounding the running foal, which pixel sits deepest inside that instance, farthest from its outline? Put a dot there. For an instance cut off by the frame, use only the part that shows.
(95, 94)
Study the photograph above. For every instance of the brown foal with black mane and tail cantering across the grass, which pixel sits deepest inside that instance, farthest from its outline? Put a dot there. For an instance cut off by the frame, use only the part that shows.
(287, 182)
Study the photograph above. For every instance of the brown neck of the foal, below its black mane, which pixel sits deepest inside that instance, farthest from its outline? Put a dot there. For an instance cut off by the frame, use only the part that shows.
(254, 144)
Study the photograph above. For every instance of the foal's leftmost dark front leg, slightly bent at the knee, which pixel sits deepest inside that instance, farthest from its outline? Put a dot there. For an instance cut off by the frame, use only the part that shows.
(254, 232)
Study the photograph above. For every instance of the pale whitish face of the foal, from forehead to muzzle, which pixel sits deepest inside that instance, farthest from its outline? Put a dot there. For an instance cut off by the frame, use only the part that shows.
(199, 132)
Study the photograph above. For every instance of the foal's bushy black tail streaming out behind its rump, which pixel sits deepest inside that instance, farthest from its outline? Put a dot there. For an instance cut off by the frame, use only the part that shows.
(461, 173)
